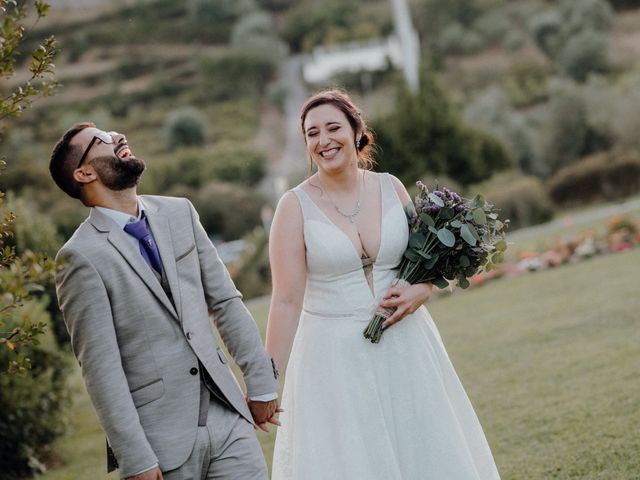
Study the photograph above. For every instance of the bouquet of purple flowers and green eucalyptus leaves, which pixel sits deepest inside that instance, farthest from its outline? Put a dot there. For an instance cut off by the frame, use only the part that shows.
(450, 238)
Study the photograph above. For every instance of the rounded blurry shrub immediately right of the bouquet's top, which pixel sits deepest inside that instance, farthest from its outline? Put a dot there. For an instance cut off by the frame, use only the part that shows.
(523, 200)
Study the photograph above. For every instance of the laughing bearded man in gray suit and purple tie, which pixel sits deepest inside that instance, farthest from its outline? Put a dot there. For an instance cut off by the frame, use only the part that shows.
(139, 282)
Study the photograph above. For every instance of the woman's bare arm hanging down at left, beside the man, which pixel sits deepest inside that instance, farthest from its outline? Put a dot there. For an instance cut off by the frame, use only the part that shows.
(287, 257)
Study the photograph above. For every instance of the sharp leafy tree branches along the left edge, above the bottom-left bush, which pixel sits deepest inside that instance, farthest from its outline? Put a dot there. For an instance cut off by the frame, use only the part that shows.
(23, 275)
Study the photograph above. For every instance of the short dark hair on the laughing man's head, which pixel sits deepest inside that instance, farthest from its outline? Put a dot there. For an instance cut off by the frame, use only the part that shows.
(65, 158)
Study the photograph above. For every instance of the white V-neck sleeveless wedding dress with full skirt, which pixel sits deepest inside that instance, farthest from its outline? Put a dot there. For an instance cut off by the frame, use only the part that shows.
(361, 411)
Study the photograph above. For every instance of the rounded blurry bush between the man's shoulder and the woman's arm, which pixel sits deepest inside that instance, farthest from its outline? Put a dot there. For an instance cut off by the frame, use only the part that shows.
(228, 211)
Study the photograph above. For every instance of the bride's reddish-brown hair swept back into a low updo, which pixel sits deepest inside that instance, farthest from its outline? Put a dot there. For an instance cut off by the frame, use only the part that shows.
(341, 101)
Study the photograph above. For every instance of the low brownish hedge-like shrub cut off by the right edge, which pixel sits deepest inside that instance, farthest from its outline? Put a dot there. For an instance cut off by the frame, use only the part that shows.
(606, 176)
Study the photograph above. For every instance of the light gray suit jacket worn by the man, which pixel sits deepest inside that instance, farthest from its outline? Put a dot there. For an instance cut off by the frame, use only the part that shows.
(139, 352)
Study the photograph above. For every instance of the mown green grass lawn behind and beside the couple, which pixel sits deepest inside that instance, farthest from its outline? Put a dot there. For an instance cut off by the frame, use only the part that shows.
(550, 361)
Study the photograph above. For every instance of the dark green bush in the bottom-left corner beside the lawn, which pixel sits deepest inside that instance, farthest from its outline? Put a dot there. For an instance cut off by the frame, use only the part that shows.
(33, 405)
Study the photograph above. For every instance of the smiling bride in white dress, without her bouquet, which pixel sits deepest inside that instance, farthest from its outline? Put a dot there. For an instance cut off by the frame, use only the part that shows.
(356, 410)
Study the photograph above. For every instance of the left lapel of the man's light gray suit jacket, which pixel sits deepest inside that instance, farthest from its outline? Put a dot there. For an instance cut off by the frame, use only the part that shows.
(118, 238)
